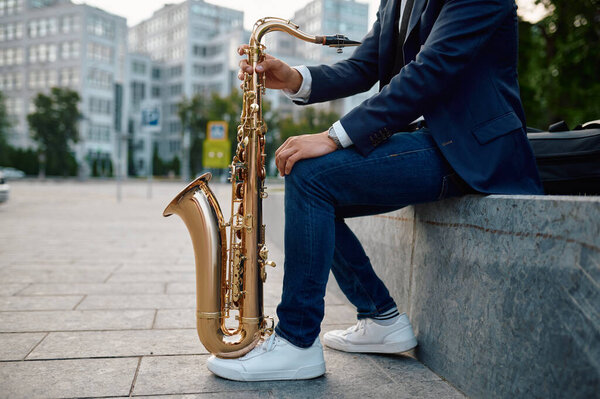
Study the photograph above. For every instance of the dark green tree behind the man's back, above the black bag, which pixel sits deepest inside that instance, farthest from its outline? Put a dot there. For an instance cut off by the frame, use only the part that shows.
(558, 66)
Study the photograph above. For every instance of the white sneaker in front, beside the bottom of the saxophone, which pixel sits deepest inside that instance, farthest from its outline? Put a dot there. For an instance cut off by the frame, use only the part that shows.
(273, 359)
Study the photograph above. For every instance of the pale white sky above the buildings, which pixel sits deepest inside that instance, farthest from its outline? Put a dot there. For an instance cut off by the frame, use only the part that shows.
(138, 10)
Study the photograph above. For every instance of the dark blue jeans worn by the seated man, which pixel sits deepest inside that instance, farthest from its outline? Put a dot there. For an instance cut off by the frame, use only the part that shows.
(319, 194)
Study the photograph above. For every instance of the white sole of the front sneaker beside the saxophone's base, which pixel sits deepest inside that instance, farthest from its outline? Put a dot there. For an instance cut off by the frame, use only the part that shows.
(302, 373)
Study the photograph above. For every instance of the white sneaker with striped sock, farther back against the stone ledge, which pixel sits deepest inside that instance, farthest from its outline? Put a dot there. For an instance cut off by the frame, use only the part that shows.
(370, 337)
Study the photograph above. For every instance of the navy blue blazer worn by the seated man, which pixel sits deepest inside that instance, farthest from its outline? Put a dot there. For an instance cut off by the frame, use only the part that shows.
(460, 73)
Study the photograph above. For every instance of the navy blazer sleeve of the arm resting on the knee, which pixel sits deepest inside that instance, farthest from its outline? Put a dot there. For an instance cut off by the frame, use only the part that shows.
(460, 30)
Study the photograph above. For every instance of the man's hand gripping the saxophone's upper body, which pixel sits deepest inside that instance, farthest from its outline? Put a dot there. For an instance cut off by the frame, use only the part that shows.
(279, 75)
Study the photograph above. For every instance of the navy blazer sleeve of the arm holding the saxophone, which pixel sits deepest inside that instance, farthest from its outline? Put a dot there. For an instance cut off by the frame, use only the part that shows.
(351, 76)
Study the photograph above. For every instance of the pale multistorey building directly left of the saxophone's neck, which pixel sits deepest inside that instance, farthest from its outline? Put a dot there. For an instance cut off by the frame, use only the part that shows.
(193, 43)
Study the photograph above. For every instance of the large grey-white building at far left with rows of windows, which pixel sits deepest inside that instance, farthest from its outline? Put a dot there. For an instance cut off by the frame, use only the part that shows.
(48, 43)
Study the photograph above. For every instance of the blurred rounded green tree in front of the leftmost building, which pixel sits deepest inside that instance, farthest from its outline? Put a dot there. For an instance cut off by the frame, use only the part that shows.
(54, 127)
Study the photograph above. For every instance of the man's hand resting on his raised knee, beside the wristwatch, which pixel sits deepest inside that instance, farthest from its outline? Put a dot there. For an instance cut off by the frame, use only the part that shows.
(302, 147)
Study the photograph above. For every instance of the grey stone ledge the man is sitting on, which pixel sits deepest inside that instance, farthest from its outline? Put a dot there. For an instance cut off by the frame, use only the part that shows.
(503, 291)
